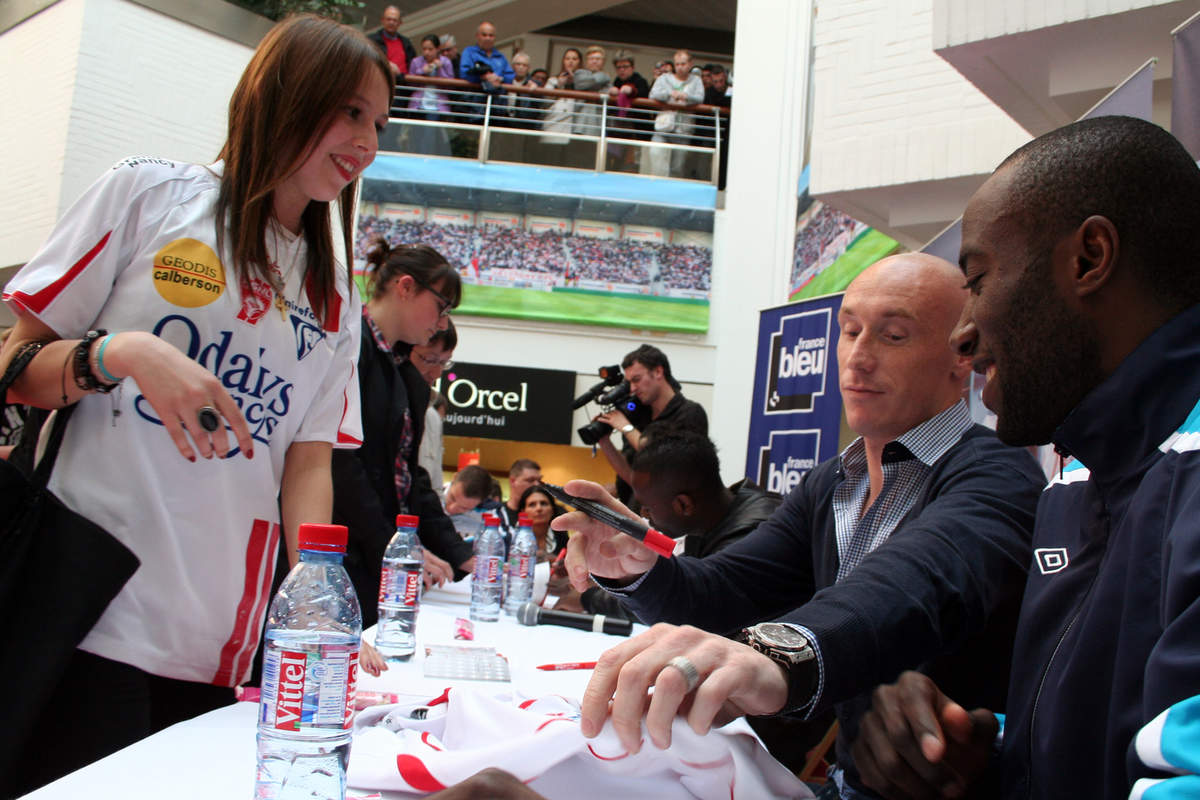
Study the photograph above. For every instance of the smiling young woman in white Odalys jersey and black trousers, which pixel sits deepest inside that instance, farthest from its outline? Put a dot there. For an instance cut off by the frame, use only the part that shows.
(200, 318)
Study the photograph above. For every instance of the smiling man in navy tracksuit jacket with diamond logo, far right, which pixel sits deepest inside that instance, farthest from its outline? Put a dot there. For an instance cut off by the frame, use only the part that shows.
(1079, 252)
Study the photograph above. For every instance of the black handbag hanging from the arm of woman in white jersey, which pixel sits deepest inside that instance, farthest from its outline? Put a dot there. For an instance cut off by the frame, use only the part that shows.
(58, 574)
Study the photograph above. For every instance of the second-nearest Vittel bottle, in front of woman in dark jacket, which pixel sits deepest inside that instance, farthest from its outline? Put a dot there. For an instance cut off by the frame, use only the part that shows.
(400, 592)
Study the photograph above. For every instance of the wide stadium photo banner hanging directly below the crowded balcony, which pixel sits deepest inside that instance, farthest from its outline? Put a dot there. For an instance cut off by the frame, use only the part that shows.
(549, 244)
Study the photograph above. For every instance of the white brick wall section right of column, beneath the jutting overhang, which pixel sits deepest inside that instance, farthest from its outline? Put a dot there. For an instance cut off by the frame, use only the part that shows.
(889, 111)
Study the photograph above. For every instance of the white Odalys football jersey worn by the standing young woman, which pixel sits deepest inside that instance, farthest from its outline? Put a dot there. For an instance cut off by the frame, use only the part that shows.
(137, 252)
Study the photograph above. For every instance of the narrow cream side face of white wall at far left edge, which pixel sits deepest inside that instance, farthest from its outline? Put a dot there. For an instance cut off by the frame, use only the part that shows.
(38, 61)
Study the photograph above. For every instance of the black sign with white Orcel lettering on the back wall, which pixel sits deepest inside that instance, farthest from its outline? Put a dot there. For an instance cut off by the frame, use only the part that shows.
(514, 404)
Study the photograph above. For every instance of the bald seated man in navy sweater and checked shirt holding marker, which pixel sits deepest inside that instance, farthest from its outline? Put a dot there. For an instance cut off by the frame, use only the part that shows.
(908, 551)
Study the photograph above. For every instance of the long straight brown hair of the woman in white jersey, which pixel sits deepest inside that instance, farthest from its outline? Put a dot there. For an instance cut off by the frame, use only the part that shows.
(299, 77)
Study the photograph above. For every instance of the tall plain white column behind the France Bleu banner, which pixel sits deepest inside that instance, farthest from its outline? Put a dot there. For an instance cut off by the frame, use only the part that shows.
(755, 233)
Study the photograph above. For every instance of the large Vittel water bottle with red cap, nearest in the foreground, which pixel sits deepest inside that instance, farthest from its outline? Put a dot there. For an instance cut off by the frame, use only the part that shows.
(310, 672)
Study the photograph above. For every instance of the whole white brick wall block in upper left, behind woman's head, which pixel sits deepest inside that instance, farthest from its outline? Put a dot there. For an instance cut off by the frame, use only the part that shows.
(76, 105)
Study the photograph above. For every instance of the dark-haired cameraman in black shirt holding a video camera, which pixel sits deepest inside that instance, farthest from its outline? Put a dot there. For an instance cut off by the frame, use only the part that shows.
(650, 380)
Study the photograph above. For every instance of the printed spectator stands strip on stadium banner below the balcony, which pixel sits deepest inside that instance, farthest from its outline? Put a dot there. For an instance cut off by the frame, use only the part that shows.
(571, 256)
